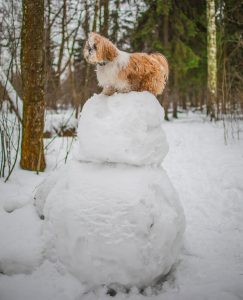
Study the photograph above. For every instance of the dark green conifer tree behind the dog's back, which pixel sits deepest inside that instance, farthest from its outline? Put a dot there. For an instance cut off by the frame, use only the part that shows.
(167, 26)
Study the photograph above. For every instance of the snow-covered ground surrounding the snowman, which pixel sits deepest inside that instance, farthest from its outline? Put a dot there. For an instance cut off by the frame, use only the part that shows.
(208, 176)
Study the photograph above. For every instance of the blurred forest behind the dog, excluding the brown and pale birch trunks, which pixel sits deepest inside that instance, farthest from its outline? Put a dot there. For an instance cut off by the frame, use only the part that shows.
(178, 29)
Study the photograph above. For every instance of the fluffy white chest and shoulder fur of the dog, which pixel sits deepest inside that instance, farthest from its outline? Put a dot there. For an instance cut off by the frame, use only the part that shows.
(107, 75)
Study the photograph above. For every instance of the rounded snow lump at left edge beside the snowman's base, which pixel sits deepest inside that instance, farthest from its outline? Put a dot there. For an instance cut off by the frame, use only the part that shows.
(21, 245)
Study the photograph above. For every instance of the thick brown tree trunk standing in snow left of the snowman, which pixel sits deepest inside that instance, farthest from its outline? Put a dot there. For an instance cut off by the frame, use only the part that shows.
(32, 67)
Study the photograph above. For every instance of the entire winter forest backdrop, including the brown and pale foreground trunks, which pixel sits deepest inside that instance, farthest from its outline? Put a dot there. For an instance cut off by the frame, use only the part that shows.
(43, 71)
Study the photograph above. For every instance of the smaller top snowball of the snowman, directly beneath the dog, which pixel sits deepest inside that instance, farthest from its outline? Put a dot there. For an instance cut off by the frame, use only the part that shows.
(122, 128)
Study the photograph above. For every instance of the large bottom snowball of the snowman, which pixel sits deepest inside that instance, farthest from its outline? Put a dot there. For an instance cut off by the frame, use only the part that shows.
(114, 223)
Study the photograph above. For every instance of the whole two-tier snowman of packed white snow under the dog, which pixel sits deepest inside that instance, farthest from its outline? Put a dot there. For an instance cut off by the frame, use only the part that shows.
(111, 214)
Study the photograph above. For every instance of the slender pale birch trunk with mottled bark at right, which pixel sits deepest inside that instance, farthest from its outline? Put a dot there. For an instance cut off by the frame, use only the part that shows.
(212, 59)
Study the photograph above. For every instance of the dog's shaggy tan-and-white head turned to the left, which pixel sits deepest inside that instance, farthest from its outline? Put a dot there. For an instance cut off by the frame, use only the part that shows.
(98, 49)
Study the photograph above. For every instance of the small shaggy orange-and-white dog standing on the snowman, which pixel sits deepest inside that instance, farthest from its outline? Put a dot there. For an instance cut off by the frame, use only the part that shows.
(122, 72)
